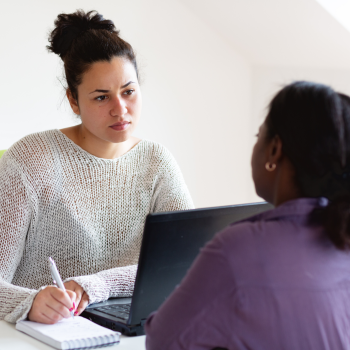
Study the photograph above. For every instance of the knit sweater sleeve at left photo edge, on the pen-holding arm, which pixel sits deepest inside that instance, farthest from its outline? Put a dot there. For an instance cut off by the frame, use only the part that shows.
(15, 215)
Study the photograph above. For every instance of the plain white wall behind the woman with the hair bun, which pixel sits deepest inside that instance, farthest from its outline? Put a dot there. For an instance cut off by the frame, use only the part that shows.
(197, 88)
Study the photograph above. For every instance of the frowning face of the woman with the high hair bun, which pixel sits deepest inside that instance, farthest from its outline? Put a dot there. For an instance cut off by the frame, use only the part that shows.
(109, 100)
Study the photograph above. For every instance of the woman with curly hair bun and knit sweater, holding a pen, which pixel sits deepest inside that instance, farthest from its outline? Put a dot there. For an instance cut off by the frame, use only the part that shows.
(81, 194)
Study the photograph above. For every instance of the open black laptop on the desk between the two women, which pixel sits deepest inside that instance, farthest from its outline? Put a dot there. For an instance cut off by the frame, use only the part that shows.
(171, 241)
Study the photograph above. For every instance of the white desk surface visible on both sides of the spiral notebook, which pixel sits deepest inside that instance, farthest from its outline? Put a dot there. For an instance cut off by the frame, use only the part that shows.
(11, 339)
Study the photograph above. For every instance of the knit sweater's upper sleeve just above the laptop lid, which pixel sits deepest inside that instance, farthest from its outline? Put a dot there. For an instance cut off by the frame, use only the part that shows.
(170, 191)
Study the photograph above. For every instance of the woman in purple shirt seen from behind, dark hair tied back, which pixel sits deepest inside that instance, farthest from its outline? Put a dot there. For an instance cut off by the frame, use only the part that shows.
(281, 279)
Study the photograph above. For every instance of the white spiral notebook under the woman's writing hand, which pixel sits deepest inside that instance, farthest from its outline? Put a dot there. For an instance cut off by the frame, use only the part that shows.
(72, 333)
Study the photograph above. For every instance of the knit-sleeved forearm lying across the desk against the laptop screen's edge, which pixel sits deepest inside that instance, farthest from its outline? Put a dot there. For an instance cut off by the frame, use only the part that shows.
(116, 282)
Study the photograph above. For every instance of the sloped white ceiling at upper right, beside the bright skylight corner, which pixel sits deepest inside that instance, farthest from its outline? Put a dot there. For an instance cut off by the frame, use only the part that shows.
(278, 32)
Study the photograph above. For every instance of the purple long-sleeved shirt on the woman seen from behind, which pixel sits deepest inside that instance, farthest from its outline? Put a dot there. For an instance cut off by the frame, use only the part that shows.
(273, 281)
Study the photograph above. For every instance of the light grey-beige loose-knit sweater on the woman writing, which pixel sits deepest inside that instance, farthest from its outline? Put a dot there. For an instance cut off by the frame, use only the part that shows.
(86, 212)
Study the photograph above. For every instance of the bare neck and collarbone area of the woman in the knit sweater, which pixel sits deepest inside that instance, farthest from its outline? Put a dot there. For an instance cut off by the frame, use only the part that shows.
(96, 146)
